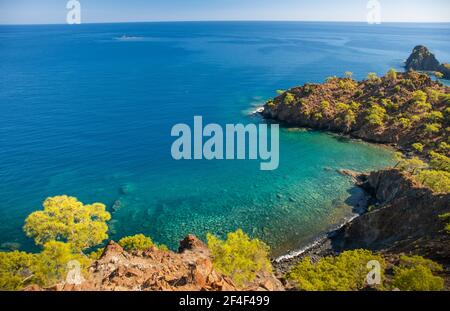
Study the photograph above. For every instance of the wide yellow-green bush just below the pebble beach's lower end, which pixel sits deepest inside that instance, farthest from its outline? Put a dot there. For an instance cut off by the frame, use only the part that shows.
(346, 272)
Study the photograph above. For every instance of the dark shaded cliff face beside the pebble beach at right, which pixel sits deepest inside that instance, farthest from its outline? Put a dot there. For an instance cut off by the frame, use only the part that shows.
(406, 221)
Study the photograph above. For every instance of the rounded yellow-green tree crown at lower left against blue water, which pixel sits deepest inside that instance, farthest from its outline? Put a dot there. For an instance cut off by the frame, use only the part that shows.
(66, 219)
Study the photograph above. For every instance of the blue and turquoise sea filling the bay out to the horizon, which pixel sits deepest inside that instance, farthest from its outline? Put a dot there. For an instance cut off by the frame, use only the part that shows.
(87, 111)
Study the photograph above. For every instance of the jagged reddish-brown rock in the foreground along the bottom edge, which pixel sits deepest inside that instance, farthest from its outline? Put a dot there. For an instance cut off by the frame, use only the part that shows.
(190, 269)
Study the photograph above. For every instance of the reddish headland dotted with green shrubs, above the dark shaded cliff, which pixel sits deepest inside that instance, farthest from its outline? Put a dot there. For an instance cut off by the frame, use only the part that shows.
(408, 110)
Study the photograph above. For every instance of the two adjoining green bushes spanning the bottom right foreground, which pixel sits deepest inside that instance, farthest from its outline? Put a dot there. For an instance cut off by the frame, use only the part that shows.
(349, 270)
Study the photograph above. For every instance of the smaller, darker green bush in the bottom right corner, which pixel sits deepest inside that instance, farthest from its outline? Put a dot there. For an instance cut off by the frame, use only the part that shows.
(416, 274)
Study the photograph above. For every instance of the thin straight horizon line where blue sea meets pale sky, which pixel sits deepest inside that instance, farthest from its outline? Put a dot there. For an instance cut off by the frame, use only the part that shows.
(228, 20)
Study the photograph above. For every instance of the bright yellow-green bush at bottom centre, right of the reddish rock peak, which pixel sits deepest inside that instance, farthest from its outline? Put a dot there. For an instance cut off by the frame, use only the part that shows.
(239, 257)
